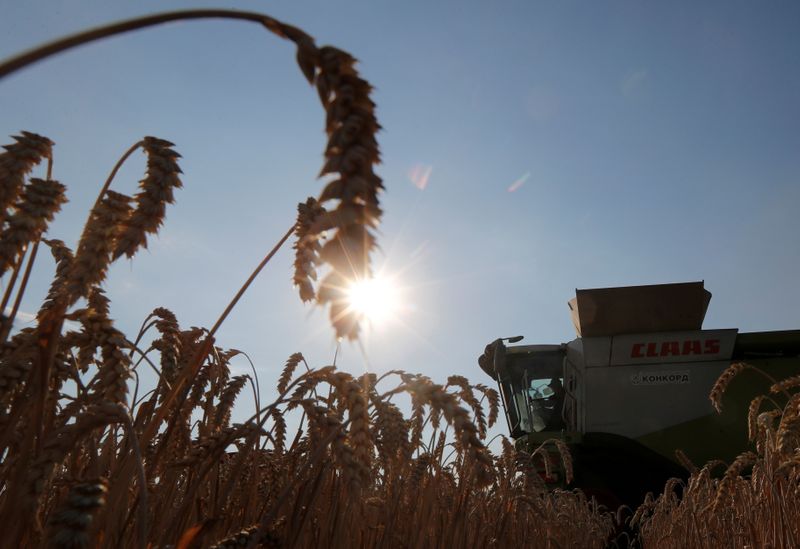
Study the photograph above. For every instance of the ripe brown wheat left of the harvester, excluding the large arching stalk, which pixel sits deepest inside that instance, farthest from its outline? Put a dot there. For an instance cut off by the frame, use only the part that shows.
(91, 457)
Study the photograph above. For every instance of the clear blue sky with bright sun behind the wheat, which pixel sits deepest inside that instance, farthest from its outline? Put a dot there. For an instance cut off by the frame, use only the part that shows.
(641, 142)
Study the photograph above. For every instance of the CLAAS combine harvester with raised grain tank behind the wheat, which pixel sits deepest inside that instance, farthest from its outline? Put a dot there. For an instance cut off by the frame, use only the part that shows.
(633, 388)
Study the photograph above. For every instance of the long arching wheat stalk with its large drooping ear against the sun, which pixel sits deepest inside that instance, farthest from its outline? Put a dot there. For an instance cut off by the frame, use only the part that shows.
(350, 154)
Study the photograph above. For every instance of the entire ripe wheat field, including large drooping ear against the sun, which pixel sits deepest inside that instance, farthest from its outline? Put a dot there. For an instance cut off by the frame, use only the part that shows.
(94, 457)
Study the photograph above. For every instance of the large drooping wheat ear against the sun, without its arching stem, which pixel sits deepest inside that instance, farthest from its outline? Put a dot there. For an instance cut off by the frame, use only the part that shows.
(350, 154)
